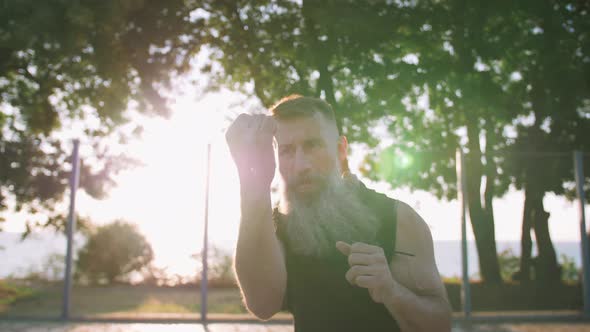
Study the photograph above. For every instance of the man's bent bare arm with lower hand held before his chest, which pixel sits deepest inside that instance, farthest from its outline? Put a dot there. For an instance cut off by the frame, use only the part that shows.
(409, 287)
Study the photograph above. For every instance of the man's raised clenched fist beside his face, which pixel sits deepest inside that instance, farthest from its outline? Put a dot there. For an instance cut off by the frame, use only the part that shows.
(250, 141)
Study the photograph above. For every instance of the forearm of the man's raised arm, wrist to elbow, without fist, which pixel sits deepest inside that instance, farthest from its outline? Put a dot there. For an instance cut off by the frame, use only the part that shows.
(259, 265)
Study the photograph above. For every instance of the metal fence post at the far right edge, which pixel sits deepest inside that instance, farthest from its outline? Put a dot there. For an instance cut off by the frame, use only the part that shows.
(579, 176)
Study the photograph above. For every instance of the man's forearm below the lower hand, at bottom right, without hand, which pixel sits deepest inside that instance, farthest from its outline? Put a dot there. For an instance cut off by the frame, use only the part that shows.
(417, 313)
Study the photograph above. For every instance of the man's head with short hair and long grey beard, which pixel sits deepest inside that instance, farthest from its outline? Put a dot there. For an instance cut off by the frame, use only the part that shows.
(320, 206)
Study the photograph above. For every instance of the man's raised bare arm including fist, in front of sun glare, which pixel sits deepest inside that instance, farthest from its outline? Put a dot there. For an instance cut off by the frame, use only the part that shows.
(259, 260)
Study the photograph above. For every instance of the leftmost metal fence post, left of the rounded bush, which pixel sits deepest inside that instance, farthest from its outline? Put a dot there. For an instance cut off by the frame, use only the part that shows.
(70, 229)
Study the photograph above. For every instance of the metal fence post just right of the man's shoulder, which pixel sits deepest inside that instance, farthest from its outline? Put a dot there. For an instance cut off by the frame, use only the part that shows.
(462, 198)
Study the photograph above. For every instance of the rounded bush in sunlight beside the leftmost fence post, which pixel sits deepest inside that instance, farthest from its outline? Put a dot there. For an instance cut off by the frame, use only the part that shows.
(112, 252)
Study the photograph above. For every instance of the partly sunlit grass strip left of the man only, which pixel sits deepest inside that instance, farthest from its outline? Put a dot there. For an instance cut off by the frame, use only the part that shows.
(124, 299)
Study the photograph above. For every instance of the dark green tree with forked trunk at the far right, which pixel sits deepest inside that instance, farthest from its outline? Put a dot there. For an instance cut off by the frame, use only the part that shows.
(552, 46)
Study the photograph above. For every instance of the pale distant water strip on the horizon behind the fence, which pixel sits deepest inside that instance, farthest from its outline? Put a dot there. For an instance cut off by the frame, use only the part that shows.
(18, 258)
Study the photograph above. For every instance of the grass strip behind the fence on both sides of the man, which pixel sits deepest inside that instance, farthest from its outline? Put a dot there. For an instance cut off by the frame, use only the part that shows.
(45, 300)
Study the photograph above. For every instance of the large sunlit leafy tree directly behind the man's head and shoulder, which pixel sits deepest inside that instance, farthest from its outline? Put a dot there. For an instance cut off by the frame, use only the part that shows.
(373, 72)
